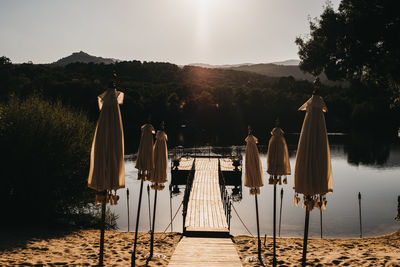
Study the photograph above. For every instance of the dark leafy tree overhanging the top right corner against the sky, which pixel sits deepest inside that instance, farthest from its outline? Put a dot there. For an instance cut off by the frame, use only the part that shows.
(359, 42)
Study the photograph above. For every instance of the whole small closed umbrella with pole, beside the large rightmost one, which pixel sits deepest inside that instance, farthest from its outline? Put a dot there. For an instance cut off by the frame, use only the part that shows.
(278, 165)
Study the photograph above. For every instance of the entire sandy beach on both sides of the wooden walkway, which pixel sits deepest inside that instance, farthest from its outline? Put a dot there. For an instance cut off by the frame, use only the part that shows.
(80, 248)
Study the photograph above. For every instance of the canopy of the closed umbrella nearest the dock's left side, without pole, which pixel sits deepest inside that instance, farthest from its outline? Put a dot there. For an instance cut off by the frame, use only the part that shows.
(159, 173)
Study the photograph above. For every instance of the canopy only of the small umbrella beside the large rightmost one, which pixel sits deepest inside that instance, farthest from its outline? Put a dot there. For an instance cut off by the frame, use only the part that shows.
(278, 156)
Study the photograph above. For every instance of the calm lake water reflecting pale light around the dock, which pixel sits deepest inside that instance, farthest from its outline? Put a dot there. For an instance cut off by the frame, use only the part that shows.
(359, 165)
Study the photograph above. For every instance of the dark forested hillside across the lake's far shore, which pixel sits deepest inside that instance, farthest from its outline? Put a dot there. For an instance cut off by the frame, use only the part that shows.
(199, 105)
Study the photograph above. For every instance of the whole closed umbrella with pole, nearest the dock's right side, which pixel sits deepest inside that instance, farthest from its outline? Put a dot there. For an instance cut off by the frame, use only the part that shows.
(253, 176)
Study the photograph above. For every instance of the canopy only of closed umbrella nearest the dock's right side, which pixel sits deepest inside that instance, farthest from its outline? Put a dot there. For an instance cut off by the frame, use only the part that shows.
(253, 171)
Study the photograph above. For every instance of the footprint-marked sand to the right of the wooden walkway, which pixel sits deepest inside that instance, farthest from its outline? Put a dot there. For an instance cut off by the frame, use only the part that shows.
(377, 251)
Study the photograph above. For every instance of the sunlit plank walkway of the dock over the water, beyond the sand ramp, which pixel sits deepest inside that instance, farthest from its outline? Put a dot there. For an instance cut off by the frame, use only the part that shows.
(205, 211)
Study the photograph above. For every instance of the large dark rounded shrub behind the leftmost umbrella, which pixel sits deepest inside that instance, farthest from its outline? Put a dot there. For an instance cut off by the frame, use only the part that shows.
(45, 150)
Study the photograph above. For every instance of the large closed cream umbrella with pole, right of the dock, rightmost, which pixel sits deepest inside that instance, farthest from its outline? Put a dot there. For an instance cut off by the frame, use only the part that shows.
(313, 171)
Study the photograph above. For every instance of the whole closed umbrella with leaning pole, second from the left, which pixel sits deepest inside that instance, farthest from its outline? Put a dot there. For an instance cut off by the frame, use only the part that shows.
(145, 165)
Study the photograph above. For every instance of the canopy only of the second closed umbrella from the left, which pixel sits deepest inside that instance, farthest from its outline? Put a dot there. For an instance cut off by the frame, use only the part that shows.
(145, 156)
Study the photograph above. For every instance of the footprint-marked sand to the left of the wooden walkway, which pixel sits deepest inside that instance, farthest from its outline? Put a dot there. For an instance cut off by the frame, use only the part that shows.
(81, 248)
